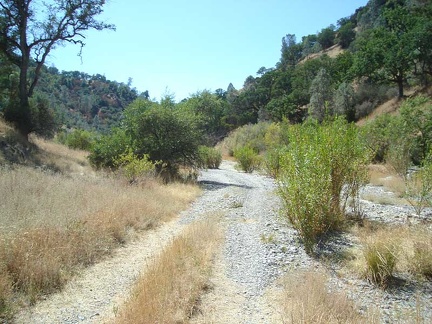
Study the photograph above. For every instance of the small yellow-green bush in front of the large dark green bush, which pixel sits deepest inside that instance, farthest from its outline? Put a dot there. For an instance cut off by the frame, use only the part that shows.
(134, 168)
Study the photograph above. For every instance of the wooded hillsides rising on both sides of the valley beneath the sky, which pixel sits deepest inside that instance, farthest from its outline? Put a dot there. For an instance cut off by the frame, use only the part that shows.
(378, 53)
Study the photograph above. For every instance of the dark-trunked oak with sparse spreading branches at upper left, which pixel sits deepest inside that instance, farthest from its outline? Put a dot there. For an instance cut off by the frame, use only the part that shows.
(29, 30)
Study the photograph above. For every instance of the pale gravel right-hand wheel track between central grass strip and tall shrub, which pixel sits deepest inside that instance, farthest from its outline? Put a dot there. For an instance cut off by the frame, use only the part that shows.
(247, 264)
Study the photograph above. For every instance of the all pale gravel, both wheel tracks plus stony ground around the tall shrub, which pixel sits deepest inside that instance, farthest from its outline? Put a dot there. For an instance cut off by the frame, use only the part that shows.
(259, 248)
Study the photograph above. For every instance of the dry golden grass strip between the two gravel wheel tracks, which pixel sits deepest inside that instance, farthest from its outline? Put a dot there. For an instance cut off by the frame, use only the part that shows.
(169, 290)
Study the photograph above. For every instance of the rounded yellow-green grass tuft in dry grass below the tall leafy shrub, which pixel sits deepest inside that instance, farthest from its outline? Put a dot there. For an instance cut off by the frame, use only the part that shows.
(380, 262)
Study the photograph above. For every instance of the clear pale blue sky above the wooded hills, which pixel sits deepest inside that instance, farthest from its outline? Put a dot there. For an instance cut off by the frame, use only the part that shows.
(182, 47)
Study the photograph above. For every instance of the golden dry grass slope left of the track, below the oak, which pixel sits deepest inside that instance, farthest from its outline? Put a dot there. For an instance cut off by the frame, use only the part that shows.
(53, 223)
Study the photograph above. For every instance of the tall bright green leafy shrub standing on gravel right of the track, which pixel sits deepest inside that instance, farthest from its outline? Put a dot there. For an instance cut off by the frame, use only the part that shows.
(319, 163)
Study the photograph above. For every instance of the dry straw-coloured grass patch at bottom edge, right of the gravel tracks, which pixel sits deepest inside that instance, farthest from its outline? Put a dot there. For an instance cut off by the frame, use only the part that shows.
(307, 299)
